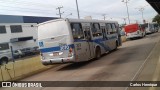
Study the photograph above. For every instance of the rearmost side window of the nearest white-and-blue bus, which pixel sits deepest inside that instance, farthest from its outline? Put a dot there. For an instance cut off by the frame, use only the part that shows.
(77, 31)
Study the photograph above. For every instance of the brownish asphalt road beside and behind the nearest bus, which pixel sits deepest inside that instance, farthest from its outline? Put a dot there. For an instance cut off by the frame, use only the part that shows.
(134, 60)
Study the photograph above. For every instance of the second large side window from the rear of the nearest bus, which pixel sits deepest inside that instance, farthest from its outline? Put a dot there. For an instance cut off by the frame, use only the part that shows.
(96, 31)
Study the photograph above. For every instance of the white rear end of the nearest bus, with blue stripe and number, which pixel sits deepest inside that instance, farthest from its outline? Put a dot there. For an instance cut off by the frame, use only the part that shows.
(55, 42)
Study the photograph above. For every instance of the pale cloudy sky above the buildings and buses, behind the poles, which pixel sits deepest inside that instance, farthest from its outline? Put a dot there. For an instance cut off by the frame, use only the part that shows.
(114, 9)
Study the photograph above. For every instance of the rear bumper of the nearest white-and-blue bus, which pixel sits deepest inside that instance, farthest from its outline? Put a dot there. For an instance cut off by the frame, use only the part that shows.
(58, 60)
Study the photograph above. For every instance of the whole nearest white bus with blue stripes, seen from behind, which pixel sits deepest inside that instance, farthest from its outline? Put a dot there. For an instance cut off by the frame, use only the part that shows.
(76, 40)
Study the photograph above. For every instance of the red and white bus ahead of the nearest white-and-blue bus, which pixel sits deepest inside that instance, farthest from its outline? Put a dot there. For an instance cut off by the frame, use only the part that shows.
(134, 31)
